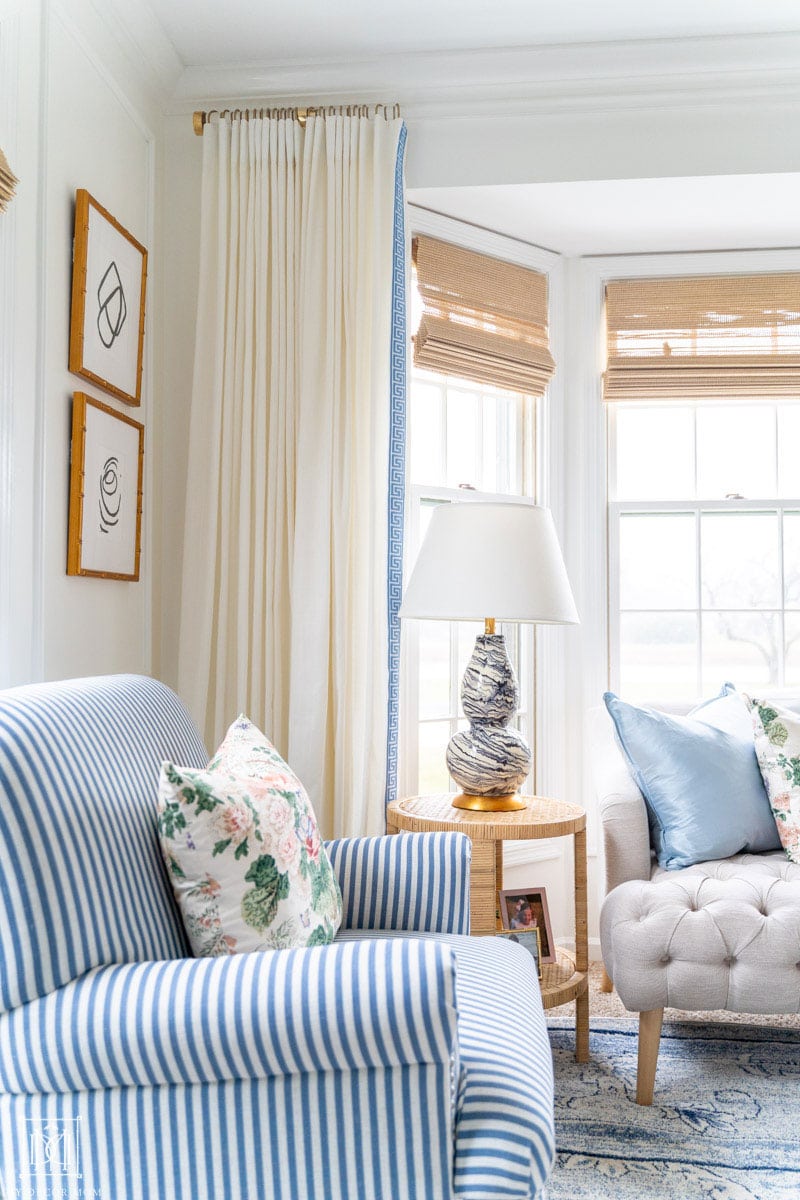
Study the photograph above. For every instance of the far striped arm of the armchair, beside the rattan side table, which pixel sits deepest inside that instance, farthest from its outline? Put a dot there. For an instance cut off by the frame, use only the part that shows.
(411, 881)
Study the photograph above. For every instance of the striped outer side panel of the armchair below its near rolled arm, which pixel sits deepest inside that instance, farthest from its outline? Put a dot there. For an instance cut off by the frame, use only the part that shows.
(362, 1136)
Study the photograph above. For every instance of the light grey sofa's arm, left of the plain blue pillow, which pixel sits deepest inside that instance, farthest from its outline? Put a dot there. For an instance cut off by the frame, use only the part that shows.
(623, 812)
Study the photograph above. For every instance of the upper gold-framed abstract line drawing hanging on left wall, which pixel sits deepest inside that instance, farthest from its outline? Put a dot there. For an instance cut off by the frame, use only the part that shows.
(110, 272)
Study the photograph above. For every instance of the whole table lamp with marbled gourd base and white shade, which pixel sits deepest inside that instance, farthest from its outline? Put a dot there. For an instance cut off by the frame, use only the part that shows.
(503, 561)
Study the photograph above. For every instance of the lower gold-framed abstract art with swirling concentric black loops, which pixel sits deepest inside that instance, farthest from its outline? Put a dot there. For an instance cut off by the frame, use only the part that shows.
(105, 493)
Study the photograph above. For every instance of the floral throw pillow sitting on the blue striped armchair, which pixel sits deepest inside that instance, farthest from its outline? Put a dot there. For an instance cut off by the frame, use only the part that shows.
(244, 853)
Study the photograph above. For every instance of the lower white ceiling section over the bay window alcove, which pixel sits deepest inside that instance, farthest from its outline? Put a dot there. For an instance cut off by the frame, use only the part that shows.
(633, 215)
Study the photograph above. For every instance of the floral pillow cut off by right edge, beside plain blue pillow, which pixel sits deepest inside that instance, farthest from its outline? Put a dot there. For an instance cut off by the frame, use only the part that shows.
(778, 749)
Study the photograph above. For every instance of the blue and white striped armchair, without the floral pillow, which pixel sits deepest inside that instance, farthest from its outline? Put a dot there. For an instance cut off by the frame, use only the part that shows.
(395, 1064)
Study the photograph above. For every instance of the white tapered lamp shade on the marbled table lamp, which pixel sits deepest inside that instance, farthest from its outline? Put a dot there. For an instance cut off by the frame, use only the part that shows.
(500, 561)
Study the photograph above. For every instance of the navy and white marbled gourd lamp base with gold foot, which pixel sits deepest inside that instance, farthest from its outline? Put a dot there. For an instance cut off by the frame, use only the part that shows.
(491, 760)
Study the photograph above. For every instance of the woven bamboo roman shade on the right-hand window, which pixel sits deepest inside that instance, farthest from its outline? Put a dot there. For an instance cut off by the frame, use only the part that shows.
(709, 338)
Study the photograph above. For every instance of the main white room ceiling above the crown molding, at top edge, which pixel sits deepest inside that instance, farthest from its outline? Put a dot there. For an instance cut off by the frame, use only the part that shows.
(226, 32)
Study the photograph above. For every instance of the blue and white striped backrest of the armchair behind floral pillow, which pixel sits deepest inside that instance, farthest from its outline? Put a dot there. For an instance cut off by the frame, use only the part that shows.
(82, 880)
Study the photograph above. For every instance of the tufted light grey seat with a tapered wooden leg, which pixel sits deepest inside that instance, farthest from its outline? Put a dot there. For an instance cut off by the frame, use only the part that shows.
(720, 935)
